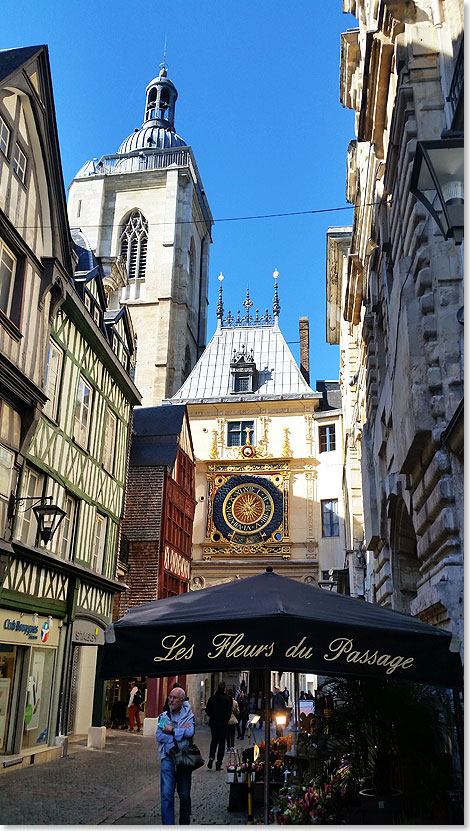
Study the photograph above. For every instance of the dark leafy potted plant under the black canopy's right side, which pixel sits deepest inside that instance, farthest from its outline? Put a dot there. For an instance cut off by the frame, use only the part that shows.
(395, 736)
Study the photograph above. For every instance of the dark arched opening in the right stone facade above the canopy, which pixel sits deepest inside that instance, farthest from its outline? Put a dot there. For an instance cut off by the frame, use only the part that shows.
(404, 558)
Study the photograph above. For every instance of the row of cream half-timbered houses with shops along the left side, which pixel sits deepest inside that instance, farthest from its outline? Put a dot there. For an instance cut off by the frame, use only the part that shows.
(66, 398)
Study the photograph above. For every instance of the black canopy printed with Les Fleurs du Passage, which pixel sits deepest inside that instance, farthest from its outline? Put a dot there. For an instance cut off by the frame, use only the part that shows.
(269, 621)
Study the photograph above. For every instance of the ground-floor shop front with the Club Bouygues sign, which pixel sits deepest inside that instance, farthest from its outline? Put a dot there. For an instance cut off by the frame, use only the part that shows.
(29, 646)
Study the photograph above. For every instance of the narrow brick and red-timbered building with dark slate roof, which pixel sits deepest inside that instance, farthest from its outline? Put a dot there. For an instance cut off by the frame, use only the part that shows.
(157, 526)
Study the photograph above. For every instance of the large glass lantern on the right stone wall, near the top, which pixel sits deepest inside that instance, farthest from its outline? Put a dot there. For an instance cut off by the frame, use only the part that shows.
(437, 180)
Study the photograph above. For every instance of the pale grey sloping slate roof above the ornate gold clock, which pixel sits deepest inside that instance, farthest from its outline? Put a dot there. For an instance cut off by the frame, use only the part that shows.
(279, 375)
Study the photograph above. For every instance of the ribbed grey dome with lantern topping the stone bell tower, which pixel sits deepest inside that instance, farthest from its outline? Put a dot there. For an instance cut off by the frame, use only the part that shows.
(158, 129)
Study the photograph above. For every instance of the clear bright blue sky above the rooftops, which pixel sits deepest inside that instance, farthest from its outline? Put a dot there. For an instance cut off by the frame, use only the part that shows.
(258, 101)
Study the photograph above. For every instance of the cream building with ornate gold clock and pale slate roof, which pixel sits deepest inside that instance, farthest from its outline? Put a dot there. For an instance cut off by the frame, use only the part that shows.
(268, 450)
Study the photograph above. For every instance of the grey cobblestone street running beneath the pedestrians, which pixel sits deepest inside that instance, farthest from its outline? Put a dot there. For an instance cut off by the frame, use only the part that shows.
(119, 785)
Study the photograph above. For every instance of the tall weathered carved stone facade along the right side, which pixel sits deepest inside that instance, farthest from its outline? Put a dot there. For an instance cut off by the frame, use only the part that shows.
(403, 292)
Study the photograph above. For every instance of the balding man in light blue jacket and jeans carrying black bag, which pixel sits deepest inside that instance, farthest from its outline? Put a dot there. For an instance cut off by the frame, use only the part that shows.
(177, 723)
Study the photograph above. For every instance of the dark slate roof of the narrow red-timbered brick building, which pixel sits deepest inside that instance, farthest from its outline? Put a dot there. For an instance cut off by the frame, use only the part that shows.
(156, 431)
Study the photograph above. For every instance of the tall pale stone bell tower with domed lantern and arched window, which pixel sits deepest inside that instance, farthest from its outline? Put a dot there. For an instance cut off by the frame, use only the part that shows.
(147, 218)
